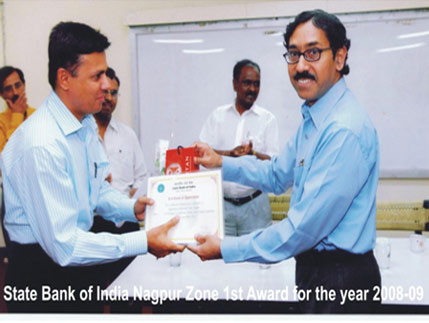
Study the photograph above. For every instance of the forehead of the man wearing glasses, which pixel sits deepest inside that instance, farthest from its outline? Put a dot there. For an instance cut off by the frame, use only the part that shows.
(307, 35)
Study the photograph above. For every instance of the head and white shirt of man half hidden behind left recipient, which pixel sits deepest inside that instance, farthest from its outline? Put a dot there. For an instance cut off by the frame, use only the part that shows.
(128, 169)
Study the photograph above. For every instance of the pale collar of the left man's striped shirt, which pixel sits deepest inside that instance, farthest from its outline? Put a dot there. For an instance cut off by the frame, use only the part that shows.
(67, 122)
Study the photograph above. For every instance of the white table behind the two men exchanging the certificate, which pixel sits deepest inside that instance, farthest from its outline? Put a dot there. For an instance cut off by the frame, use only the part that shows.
(155, 282)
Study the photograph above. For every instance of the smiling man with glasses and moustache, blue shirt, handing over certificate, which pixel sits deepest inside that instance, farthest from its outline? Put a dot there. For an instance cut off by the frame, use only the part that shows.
(332, 165)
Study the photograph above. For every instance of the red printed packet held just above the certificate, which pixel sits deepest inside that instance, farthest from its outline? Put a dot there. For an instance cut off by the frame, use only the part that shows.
(180, 160)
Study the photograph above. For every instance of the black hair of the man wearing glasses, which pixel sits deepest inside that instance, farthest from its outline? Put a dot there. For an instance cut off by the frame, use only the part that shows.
(330, 24)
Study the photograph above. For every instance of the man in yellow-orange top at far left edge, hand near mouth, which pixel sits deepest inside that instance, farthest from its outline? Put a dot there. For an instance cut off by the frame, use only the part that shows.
(12, 90)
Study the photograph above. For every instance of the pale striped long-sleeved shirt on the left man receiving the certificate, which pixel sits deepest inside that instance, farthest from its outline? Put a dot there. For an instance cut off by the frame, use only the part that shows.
(54, 169)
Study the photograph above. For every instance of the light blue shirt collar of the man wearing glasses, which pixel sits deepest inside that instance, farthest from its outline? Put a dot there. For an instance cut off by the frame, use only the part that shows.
(321, 108)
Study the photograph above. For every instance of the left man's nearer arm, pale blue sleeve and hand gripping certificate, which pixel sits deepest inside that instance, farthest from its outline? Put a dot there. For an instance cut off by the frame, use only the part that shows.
(56, 218)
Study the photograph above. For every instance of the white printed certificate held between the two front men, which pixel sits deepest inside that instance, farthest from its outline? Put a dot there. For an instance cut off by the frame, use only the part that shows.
(196, 198)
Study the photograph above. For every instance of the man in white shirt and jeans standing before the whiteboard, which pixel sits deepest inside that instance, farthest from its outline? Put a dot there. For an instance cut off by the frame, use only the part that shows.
(238, 129)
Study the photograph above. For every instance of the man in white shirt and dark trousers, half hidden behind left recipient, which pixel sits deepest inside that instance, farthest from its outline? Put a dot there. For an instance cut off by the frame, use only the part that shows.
(127, 170)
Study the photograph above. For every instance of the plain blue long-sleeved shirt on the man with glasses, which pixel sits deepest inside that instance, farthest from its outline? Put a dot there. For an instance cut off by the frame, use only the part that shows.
(332, 165)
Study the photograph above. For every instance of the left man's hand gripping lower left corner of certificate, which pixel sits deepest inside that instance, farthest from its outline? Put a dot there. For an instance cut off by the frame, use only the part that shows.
(158, 242)
